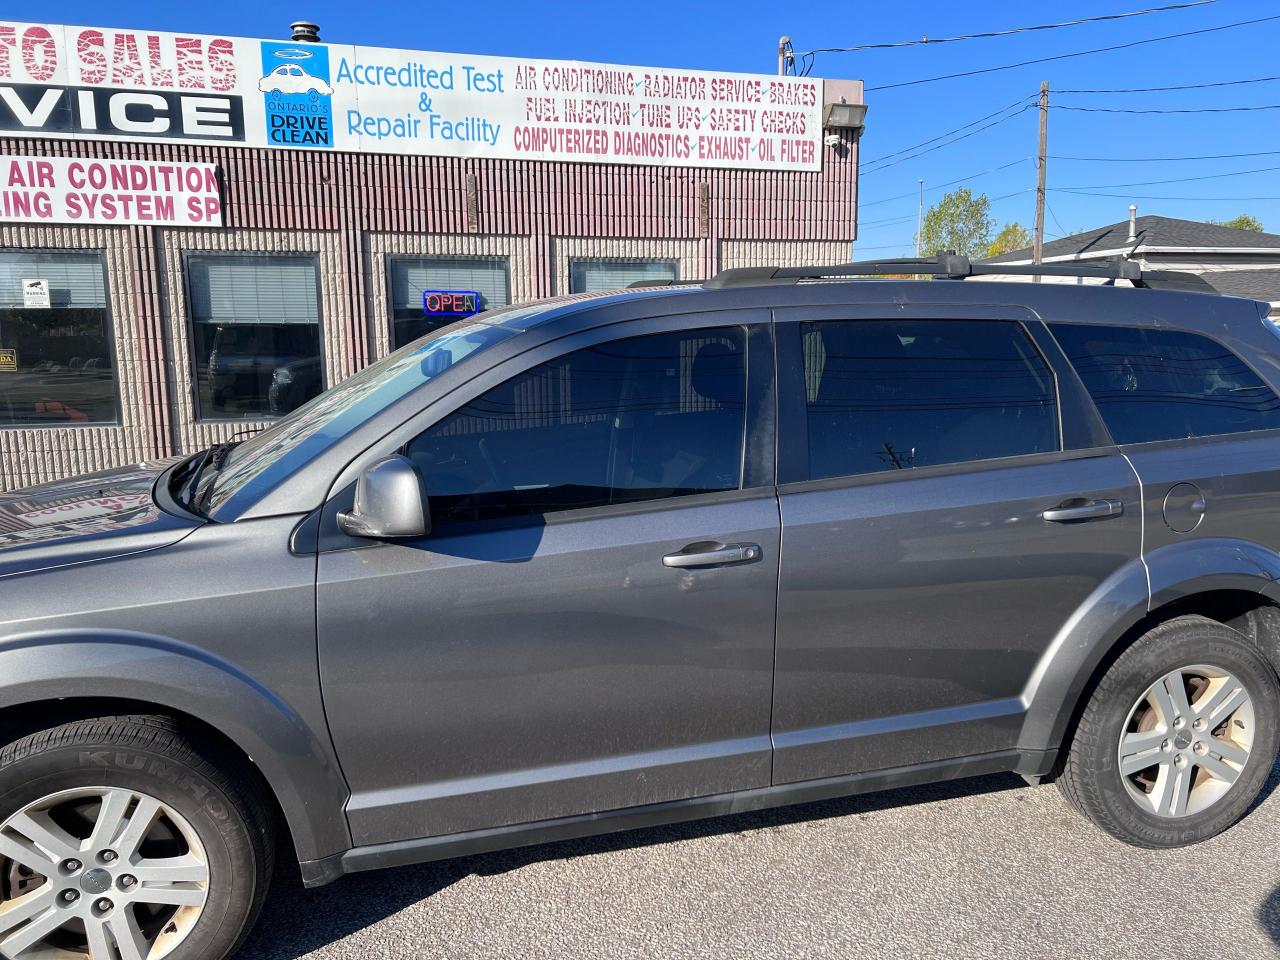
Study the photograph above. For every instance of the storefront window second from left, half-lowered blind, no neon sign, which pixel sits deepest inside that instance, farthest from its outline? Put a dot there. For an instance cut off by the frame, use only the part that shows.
(255, 335)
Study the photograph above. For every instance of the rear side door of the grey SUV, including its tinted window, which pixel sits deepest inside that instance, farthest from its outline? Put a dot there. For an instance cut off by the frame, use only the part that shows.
(949, 500)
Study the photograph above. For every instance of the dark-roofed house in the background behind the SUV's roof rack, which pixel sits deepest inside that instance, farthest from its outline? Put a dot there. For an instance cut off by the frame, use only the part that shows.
(1237, 263)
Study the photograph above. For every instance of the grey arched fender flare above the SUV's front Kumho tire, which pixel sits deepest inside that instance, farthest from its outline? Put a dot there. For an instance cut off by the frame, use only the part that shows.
(188, 680)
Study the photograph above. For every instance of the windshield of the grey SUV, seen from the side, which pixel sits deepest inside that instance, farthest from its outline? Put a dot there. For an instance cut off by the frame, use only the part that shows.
(266, 460)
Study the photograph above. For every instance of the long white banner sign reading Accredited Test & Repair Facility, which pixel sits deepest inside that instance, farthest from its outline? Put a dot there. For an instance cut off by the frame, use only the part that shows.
(120, 84)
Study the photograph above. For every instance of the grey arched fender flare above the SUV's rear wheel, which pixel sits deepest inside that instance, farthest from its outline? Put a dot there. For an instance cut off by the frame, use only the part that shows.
(1174, 573)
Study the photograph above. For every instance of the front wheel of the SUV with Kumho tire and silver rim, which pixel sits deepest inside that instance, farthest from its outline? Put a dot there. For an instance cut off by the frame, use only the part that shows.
(185, 819)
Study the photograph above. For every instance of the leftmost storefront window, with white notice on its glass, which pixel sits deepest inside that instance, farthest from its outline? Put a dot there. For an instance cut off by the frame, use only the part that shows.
(57, 365)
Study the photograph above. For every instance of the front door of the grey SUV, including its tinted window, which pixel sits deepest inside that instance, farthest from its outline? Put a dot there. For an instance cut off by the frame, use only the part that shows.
(589, 627)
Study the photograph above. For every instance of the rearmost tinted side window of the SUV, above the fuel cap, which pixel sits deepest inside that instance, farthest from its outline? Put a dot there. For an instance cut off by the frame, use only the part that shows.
(1154, 385)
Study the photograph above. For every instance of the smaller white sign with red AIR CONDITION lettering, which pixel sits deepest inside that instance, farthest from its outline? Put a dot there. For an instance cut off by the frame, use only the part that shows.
(75, 190)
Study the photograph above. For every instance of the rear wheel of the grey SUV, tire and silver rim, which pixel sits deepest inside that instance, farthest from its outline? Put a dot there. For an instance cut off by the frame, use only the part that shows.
(1197, 785)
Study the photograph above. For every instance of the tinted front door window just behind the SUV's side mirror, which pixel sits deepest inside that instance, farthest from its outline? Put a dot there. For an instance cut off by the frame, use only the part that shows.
(620, 423)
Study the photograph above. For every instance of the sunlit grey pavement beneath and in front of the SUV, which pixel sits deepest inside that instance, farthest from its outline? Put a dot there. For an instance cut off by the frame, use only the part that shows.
(985, 868)
